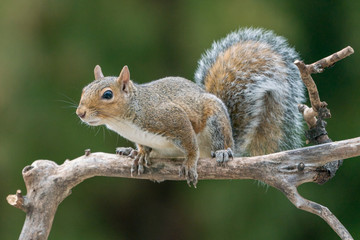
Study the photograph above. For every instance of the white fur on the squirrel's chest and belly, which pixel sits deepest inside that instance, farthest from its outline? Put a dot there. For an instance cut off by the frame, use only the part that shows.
(161, 146)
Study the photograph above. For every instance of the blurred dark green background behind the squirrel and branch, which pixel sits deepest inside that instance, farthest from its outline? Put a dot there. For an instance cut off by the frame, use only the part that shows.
(48, 50)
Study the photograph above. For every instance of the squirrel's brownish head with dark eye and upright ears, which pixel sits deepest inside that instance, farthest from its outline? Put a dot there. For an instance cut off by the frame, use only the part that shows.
(105, 99)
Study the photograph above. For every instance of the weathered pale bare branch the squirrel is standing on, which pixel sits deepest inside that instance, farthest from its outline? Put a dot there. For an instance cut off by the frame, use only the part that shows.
(48, 184)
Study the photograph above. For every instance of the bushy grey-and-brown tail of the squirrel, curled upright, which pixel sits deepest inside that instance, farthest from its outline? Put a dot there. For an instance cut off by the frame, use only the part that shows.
(253, 72)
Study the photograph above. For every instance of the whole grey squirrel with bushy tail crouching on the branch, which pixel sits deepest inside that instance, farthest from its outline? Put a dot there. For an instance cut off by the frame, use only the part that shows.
(244, 104)
